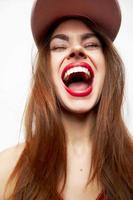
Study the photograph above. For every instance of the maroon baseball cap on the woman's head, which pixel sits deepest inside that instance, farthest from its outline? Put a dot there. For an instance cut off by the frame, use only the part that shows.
(104, 13)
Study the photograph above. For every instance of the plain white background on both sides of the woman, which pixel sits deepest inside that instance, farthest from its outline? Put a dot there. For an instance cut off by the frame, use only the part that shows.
(17, 50)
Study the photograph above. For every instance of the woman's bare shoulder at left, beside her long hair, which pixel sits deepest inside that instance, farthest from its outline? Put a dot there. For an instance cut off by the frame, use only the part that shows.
(8, 160)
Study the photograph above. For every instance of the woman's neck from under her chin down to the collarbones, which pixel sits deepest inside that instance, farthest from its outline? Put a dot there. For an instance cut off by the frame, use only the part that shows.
(78, 128)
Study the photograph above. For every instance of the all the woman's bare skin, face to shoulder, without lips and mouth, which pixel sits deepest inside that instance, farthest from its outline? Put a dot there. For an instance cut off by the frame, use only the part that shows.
(77, 123)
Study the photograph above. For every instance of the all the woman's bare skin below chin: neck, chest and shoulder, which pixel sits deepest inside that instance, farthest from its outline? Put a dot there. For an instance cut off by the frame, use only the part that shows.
(79, 159)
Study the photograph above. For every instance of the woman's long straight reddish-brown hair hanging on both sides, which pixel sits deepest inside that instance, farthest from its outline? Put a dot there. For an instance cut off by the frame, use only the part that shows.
(43, 162)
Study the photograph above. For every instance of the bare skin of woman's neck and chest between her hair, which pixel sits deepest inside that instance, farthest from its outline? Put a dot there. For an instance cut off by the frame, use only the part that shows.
(79, 160)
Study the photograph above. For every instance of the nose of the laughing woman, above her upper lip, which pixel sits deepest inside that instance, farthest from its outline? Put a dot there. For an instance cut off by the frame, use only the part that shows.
(77, 53)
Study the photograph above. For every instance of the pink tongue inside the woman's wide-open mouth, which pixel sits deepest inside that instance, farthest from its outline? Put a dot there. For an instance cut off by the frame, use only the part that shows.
(78, 86)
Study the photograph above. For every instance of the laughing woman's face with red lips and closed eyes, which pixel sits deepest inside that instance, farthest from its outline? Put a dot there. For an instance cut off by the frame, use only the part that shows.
(77, 65)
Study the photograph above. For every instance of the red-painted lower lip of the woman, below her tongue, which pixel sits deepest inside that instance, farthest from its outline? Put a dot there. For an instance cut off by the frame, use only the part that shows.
(79, 93)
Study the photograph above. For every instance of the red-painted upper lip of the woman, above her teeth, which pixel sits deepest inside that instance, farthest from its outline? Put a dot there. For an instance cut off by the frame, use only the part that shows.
(75, 64)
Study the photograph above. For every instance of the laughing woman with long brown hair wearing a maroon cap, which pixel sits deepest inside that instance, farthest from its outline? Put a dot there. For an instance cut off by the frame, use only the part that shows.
(77, 145)
